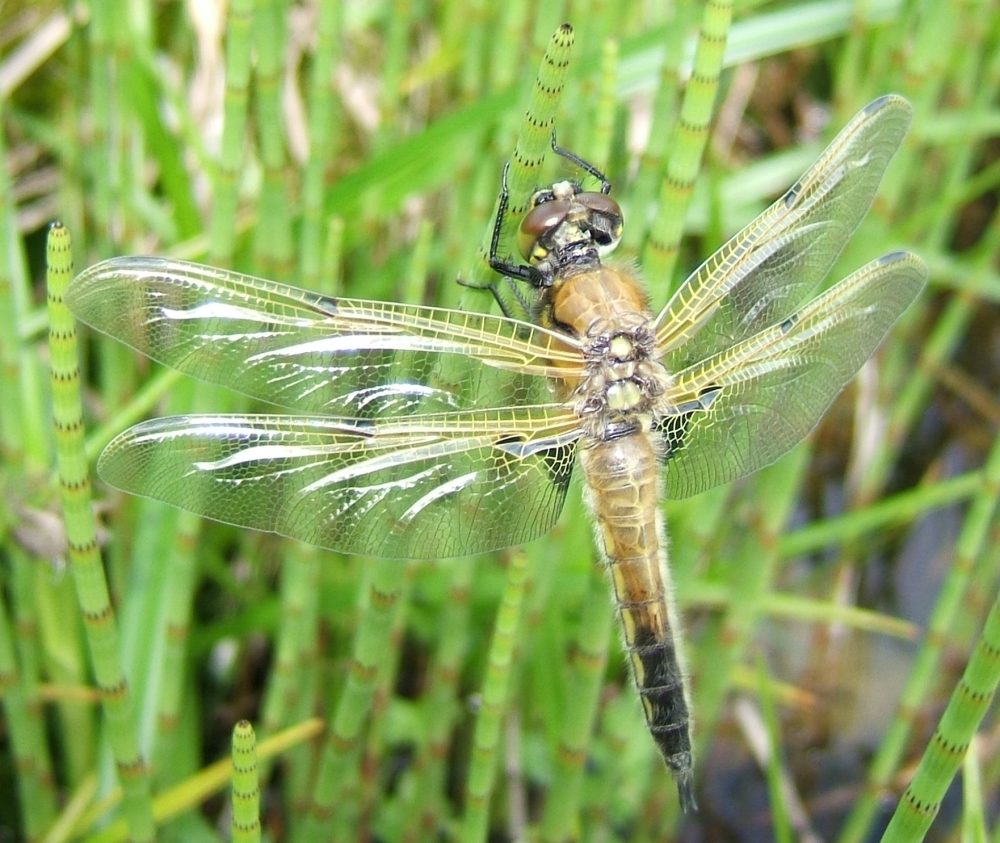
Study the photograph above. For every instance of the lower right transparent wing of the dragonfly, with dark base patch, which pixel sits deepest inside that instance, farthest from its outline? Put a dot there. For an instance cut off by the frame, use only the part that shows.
(744, 407)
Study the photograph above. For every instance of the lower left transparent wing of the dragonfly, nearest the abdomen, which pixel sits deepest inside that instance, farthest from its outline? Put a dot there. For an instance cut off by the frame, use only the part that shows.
(420, 488)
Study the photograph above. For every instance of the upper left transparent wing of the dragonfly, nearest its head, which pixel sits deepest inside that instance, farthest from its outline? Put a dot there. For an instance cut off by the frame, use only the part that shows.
(307, 352)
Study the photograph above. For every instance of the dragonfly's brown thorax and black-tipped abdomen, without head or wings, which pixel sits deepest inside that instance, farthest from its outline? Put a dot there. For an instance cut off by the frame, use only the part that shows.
(621, 459)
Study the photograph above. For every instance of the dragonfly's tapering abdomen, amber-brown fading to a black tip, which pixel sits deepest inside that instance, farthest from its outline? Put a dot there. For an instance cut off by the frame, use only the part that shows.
(623, 492)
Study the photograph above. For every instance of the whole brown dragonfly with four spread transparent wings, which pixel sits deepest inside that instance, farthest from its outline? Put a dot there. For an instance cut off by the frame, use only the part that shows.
(424, 433)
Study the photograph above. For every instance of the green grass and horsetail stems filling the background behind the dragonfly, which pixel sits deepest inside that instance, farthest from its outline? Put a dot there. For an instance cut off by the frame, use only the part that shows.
(831, 602)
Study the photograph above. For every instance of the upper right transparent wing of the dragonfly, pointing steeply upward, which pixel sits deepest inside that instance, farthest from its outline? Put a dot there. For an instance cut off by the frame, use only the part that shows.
(767, 270)
